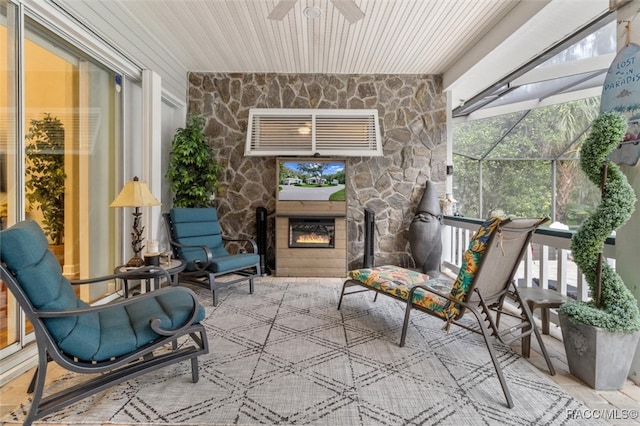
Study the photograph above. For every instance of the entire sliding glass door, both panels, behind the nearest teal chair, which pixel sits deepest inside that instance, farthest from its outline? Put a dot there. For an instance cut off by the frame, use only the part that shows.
(58, 145)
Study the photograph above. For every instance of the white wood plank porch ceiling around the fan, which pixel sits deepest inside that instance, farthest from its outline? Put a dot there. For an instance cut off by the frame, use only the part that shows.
(418, 36)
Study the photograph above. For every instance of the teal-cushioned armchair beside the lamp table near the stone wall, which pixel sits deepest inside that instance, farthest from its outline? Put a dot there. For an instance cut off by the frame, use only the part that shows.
(196, 237)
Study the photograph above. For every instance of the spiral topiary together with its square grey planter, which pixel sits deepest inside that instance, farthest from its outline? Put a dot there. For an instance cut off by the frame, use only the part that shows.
(601, 336)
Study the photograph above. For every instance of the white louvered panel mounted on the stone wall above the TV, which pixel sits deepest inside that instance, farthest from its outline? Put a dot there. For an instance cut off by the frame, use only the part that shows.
(313, 132)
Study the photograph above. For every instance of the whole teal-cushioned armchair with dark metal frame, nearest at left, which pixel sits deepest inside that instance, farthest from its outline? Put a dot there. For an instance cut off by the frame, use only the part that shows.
(119, 340)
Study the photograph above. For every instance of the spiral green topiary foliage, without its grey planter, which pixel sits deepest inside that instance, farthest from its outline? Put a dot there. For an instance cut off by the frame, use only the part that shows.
(613, 308)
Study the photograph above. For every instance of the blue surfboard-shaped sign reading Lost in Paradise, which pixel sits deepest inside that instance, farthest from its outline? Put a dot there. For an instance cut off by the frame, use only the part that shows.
(621, 92)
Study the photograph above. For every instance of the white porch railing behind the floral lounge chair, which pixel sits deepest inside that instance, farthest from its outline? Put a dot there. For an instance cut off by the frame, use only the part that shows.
(547, 265)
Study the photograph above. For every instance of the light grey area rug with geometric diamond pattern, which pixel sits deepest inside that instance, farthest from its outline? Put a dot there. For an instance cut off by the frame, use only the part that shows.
(286, 356)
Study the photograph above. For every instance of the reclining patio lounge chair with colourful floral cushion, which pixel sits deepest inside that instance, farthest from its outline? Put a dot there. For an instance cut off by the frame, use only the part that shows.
(484, 281)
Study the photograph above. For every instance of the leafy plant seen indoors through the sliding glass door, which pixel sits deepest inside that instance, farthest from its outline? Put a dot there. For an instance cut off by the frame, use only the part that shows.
(46, 175)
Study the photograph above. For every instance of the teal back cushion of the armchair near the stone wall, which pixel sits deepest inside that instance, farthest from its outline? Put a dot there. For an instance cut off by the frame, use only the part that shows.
(197, 227)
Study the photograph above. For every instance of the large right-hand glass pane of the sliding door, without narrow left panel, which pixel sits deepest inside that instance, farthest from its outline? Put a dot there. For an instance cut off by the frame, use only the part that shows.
(70, 109)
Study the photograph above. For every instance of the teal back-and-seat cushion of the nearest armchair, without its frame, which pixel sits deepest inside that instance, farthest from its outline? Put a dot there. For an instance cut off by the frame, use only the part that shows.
(95, 336)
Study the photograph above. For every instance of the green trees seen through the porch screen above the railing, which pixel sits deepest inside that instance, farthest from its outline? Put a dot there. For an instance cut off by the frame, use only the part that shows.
(516, 153)
